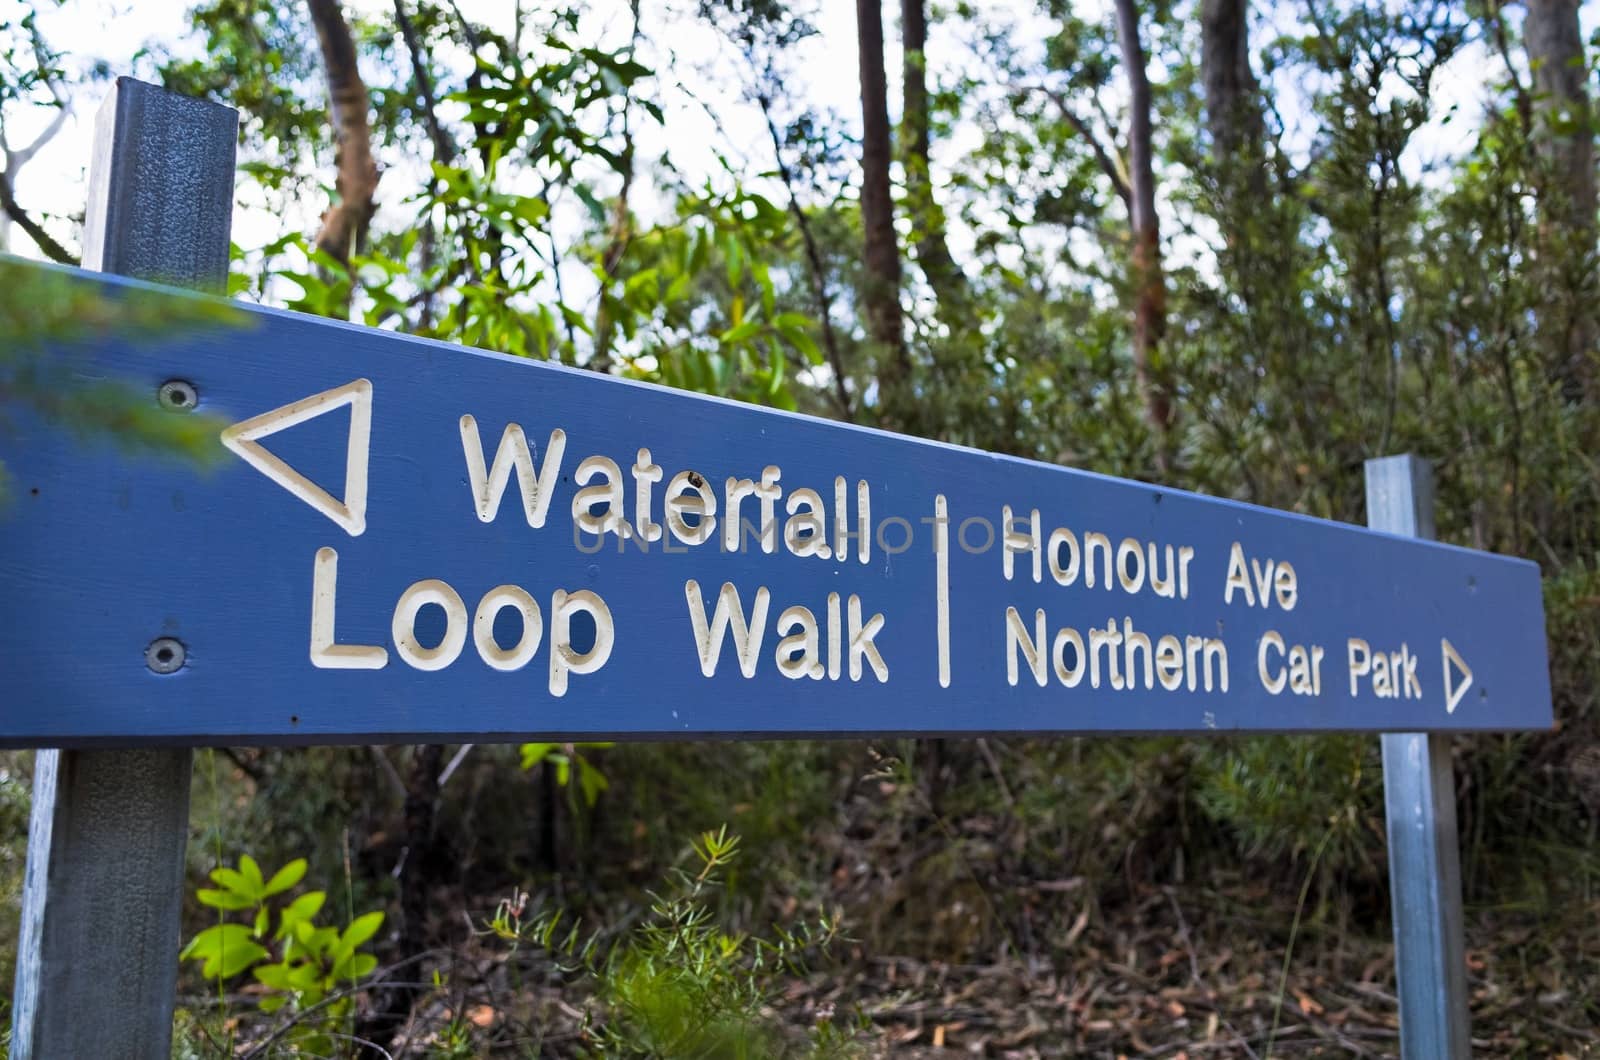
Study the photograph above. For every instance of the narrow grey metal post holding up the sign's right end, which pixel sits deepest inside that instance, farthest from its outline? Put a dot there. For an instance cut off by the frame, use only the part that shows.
(1420, 800)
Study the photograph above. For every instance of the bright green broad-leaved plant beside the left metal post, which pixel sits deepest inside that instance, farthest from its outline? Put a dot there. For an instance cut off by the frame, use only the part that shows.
(305, 966)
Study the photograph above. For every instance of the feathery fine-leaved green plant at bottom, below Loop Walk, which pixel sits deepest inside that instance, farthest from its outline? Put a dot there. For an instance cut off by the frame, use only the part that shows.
(679, 986)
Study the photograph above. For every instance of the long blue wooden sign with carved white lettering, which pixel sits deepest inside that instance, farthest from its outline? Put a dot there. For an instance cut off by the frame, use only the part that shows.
(412, 540)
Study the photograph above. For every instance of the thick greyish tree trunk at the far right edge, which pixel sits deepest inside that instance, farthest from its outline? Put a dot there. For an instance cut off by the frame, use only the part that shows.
(1564, 132)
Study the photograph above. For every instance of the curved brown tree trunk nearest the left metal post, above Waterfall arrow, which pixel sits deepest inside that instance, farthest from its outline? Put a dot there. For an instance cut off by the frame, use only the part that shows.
(345, 225)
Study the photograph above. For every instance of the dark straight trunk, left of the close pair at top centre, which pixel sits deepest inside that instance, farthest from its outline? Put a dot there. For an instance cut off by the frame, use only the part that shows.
(881, 251)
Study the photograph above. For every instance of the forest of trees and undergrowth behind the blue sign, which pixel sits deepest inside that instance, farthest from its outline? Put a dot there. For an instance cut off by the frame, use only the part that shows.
(1226, 247)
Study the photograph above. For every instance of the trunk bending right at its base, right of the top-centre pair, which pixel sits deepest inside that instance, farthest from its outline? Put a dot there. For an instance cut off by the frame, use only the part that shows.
(934, 254)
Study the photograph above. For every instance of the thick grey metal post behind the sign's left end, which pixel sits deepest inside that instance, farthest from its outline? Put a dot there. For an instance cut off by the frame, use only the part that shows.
(98, 958)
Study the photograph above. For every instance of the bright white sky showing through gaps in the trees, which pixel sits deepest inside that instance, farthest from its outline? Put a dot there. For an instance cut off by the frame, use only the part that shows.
(119, 38)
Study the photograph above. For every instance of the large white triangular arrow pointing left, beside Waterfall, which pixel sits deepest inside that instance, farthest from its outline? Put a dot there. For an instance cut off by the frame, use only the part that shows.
(351, 513)
